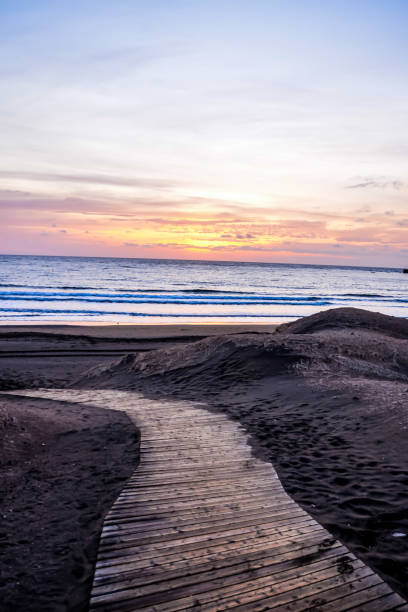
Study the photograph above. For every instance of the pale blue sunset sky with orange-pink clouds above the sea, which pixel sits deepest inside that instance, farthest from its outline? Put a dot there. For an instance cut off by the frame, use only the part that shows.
(257, 130)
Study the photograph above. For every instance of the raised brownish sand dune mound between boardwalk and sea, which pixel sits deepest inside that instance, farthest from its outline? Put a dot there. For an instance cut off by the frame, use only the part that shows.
(348, 341)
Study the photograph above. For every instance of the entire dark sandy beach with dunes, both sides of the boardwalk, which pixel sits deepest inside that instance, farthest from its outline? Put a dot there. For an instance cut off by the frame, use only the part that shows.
(324, 399)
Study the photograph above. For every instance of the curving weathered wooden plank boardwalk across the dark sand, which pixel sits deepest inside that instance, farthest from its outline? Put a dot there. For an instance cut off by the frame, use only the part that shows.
(204, 526)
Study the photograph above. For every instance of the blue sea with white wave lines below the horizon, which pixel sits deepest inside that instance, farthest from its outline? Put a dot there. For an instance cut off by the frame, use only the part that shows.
(84, 289)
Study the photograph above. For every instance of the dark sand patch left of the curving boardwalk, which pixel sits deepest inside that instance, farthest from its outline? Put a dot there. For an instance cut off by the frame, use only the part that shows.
(61, 468)
